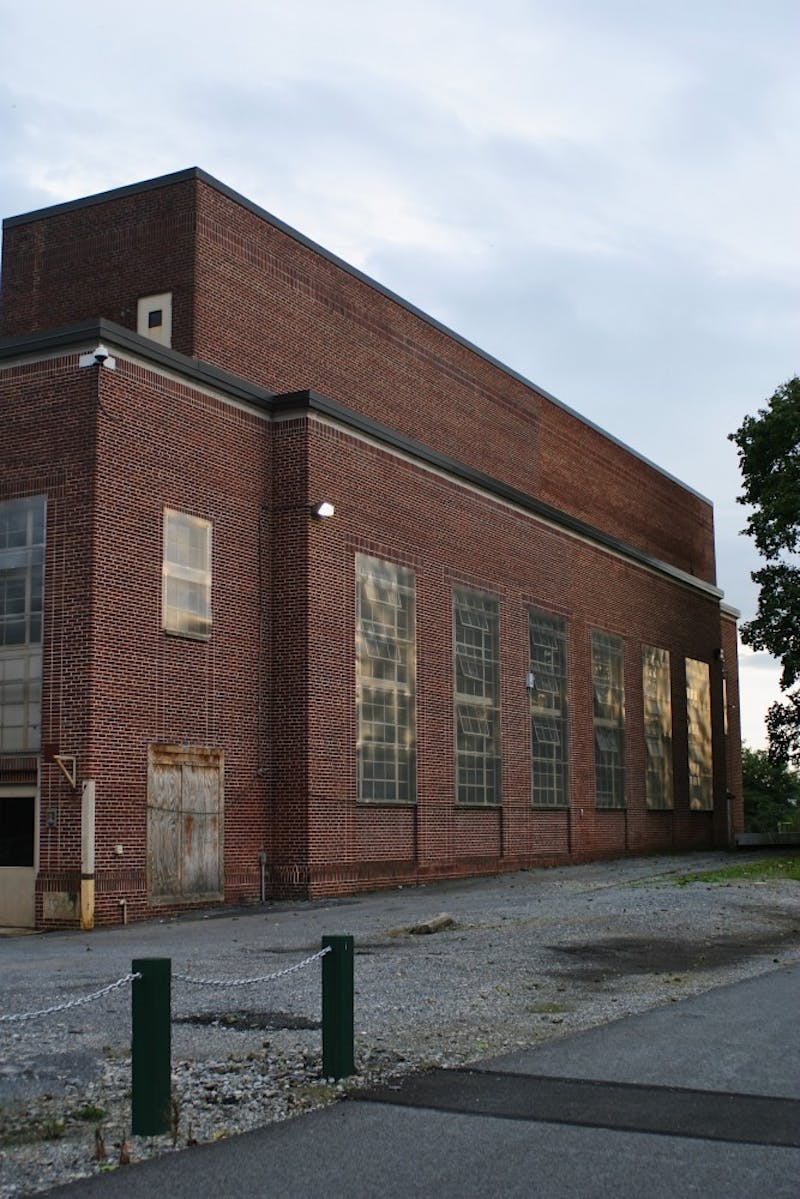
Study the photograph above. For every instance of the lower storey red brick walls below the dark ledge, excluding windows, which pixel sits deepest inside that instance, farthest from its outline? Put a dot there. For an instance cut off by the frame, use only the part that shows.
(275, 686)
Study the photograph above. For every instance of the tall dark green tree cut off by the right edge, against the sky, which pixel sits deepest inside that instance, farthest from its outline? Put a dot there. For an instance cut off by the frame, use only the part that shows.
(769, 459)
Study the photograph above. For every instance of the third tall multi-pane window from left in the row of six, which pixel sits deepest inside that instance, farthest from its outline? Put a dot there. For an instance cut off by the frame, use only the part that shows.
(549, 726)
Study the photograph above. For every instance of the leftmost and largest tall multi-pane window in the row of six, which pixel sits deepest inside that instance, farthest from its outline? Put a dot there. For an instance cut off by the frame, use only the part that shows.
(386, 682)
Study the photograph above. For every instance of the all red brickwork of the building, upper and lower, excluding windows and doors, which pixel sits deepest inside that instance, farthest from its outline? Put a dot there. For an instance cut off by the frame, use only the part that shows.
(275, 686)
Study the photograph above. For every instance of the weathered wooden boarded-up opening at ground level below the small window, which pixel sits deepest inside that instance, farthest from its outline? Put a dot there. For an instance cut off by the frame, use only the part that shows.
(185, 824)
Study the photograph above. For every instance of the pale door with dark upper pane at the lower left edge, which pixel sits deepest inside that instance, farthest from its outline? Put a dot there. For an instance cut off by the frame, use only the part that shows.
(17, 858)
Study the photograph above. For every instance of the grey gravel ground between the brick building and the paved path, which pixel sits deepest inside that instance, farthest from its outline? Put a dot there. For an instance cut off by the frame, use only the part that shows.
(528, 957)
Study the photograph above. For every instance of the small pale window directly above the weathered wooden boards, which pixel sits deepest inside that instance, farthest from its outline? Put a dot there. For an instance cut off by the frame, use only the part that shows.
(187, 604)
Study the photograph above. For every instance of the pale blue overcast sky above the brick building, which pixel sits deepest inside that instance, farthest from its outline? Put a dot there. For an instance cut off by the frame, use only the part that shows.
(601, 194)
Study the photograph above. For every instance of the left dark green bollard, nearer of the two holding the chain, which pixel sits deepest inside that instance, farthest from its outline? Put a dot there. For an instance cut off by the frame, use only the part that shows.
(151, 1047)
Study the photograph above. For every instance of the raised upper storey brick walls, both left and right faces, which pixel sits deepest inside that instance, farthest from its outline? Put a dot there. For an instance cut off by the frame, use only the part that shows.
(254, 300)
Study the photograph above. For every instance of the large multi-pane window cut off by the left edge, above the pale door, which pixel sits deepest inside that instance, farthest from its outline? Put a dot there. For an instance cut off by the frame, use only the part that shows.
(22, 591)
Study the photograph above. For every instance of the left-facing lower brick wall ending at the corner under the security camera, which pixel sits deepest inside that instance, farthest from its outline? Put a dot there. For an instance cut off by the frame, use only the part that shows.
(49, 449)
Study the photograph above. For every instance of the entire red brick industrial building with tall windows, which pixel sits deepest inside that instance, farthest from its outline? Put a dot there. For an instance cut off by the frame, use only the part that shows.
(504, 648)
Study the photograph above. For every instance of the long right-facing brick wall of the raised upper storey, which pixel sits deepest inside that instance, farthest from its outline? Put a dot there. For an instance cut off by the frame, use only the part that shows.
(275, 311)
